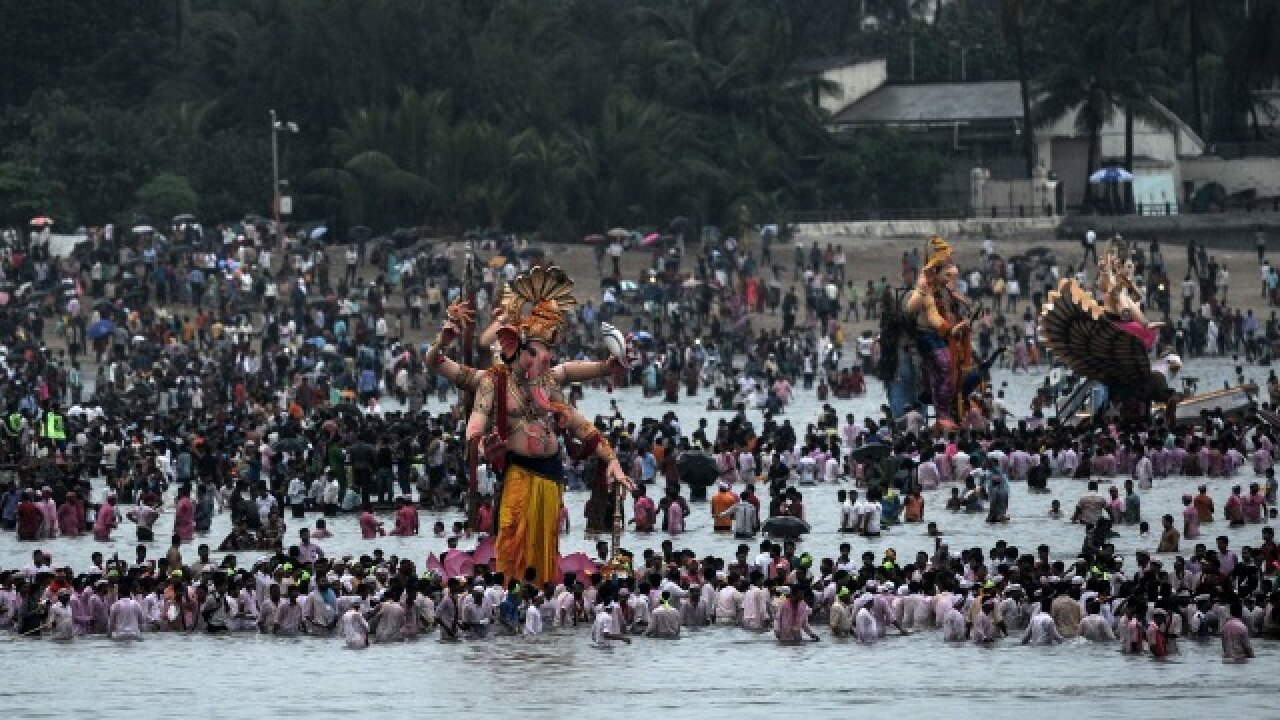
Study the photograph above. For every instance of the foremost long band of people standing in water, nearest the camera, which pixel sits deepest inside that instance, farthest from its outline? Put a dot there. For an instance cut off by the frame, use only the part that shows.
(982, 596)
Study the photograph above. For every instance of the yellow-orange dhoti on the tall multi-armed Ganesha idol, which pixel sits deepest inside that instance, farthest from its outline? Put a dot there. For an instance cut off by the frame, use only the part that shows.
(529, 520)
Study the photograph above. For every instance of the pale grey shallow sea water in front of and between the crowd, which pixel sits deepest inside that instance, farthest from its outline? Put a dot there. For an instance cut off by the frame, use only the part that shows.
(702, 675)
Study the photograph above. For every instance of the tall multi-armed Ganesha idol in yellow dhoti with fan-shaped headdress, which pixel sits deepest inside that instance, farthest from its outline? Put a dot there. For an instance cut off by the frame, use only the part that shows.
(520, 416)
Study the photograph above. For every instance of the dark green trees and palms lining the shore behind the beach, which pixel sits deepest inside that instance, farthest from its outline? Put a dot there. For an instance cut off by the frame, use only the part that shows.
(560, 117)
